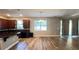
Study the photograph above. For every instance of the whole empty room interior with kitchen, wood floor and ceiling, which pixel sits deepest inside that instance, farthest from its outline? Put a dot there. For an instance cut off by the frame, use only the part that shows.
(39, 29)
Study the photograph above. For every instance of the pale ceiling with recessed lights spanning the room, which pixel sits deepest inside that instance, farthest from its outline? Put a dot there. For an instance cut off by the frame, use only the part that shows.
(39, 12)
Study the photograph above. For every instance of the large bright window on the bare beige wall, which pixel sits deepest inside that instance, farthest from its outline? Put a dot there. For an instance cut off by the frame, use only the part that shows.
(40, 25)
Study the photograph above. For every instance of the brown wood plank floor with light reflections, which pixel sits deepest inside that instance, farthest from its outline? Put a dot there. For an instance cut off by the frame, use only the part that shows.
(48, 43)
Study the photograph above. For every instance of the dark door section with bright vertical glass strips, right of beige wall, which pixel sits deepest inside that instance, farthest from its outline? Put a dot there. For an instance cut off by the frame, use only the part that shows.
(69, 27)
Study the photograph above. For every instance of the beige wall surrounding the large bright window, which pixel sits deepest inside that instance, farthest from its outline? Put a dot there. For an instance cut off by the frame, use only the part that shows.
(53, 27)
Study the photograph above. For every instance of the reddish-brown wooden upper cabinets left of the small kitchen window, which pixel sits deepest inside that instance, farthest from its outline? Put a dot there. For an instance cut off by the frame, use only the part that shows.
(7, 24)
